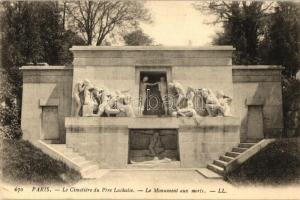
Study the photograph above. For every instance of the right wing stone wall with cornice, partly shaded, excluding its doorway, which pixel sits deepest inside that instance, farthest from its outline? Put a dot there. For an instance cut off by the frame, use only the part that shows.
(258, 85)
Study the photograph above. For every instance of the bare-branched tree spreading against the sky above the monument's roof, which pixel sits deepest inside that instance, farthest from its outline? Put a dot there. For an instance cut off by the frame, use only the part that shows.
(95, 20)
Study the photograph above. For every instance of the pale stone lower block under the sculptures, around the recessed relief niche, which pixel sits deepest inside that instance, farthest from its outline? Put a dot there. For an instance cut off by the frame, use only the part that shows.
(106, 140)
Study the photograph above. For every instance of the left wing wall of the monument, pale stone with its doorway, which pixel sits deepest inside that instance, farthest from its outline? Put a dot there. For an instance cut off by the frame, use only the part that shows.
(48, 88)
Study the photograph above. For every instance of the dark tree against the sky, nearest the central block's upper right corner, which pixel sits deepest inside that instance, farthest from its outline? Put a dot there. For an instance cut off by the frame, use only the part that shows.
(243, 24)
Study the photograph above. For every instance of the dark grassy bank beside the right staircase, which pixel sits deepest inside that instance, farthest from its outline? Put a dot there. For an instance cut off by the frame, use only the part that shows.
(277, 165)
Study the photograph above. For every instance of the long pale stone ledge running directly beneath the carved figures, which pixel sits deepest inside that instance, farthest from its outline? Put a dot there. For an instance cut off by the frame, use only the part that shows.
(150, 123)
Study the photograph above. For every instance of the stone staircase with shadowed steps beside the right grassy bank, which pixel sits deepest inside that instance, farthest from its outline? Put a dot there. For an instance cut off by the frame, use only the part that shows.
(235, 158)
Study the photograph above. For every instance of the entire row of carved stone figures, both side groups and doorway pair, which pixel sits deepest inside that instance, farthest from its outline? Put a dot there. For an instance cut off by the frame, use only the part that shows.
(176, 101)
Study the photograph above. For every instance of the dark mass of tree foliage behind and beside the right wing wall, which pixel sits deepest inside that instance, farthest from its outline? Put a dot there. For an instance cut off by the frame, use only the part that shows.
(264, 33)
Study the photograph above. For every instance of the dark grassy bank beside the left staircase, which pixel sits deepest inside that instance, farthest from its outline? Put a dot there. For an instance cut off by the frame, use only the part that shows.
(24, 163)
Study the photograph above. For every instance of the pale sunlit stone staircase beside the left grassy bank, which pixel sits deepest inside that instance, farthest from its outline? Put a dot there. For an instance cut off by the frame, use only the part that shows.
(87, 168)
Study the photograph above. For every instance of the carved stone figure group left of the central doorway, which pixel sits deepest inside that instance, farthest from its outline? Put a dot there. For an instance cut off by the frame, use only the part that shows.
(93, 101)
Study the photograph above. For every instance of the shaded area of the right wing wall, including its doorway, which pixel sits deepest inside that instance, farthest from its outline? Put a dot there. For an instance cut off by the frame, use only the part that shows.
(264, 117)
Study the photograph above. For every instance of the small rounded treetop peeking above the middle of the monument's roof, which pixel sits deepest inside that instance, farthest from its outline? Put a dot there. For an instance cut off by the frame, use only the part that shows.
(137, 38)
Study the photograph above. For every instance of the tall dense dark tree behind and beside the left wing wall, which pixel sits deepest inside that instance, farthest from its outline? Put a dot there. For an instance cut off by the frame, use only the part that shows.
(32, 33)
